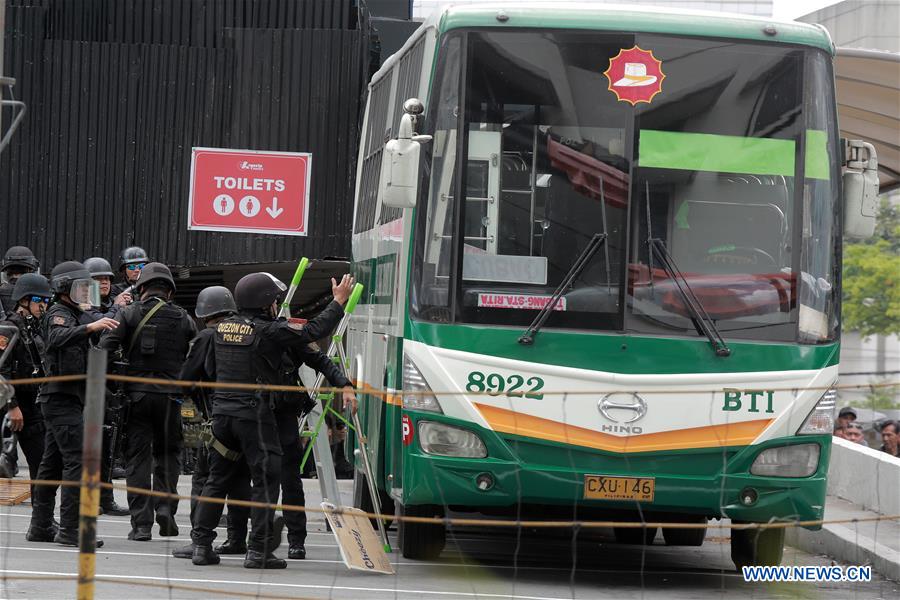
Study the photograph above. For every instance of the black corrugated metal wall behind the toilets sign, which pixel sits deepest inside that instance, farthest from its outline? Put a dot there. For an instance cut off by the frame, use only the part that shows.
(119, 91)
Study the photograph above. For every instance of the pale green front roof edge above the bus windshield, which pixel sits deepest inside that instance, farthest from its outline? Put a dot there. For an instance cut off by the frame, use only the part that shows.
(591, 15)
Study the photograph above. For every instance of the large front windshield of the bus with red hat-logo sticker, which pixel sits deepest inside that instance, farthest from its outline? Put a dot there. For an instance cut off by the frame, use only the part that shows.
(703, 159)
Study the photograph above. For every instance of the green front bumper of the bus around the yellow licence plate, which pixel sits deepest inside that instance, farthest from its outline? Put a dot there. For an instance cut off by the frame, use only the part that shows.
(707, 482)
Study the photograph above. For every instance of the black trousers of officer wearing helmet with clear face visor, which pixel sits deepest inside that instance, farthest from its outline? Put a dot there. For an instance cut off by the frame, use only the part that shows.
(61, 461)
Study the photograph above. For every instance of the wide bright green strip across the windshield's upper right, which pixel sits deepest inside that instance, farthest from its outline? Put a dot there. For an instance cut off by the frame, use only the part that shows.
(716, 153)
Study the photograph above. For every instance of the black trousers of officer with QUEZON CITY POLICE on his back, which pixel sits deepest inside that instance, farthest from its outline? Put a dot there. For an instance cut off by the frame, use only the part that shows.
(261, 465)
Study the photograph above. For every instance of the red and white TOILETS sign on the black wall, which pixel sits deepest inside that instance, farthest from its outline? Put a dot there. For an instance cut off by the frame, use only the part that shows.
(249, 191)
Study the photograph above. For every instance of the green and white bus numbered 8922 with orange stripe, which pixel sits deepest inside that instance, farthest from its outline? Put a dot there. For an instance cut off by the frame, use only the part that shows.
(601, 249)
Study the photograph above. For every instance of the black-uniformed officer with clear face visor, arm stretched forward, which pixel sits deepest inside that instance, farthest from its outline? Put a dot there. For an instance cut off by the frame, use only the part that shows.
(68, 333)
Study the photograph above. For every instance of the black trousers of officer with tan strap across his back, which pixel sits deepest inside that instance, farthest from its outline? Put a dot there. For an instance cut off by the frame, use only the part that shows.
(153, 455)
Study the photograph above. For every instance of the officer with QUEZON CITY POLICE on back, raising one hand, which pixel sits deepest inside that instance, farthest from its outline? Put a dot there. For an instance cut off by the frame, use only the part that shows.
(248, 348)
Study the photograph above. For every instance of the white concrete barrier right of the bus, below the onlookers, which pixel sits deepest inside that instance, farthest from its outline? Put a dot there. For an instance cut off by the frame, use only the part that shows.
(866, 477)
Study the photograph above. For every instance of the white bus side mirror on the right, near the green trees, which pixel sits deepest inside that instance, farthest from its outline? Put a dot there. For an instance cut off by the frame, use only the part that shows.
(860, 183)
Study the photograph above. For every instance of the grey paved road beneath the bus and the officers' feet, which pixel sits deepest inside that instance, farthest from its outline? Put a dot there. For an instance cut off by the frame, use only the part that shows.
(478, 563)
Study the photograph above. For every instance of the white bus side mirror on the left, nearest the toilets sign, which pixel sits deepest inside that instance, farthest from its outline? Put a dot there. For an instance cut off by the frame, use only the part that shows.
(400, 163)
